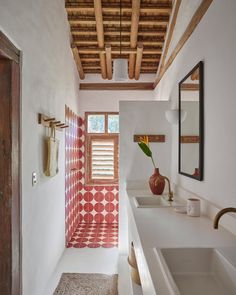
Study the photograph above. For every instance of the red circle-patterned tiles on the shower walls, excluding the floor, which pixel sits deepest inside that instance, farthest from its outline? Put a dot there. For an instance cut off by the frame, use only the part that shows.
(86, 204)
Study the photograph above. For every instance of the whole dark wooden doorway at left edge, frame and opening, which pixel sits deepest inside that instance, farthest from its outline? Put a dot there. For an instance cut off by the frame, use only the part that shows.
(10, 250)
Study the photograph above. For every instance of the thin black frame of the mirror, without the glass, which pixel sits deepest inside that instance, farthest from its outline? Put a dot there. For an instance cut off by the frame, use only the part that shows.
(200, 65)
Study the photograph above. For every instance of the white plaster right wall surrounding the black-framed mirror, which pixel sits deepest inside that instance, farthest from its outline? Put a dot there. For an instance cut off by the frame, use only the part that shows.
(213, 42)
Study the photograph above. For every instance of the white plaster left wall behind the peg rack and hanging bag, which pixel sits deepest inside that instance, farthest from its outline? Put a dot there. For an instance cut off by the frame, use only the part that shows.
(40, 30)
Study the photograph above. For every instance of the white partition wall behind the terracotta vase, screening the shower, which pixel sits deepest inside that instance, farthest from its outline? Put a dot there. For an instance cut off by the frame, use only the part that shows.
(140, 117)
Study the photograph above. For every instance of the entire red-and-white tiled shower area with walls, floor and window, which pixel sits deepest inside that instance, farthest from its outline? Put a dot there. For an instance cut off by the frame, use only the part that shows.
(91, 180)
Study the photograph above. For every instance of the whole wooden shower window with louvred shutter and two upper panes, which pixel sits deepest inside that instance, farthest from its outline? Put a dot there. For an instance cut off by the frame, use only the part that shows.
(102, 148)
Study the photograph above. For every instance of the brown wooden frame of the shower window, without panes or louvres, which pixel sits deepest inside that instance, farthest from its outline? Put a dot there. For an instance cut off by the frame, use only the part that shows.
(89, 137)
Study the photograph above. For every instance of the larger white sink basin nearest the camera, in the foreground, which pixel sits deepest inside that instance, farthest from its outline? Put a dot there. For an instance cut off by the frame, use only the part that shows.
(197, 271)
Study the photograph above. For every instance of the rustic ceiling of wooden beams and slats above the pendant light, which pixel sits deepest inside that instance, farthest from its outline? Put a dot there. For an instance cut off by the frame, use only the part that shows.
(95, 29)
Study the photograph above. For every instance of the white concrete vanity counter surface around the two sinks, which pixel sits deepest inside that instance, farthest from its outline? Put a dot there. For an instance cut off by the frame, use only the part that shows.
(159, 228)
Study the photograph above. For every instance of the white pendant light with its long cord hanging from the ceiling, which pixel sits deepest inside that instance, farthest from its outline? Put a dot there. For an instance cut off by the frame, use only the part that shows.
(120, 65)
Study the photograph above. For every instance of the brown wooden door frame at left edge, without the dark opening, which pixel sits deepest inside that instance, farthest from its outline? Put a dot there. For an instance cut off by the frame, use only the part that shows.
(12, 55)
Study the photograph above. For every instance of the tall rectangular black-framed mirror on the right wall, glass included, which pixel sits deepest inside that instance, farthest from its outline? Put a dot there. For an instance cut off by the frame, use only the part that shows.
(191, 123)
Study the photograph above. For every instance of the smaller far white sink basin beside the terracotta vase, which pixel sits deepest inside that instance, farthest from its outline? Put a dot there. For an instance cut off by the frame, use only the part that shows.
(154, 202)
